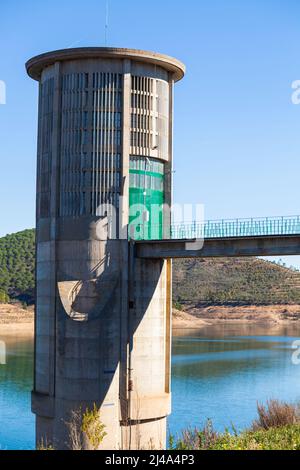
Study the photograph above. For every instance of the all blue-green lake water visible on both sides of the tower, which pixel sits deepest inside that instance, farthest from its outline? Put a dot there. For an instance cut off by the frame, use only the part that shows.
(218, 372)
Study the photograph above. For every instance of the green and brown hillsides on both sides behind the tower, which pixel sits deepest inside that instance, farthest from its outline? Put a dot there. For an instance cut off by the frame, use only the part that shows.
(222, 280)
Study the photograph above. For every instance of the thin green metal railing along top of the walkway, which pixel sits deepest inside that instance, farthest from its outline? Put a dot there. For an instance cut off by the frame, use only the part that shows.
(261, 226)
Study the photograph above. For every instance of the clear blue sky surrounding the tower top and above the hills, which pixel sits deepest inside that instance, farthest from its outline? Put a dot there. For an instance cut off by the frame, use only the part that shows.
(237, 133)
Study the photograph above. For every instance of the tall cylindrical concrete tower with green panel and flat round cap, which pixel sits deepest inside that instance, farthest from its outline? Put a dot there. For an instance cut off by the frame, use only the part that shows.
(103, 318)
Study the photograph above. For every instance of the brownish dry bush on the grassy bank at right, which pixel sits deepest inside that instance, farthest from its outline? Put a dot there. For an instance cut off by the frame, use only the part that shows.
(275, 414)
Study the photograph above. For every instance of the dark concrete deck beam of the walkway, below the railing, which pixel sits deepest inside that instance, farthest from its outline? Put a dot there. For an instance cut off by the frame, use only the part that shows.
(220, 247)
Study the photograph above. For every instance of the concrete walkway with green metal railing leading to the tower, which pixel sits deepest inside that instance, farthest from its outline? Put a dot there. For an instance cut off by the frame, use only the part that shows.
(268, 236)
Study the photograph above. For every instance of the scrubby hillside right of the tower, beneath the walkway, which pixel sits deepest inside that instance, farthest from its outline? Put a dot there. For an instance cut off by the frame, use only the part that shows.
(231, 280)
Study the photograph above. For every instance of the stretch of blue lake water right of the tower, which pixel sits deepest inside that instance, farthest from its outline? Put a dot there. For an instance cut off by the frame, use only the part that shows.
(221, 372)
